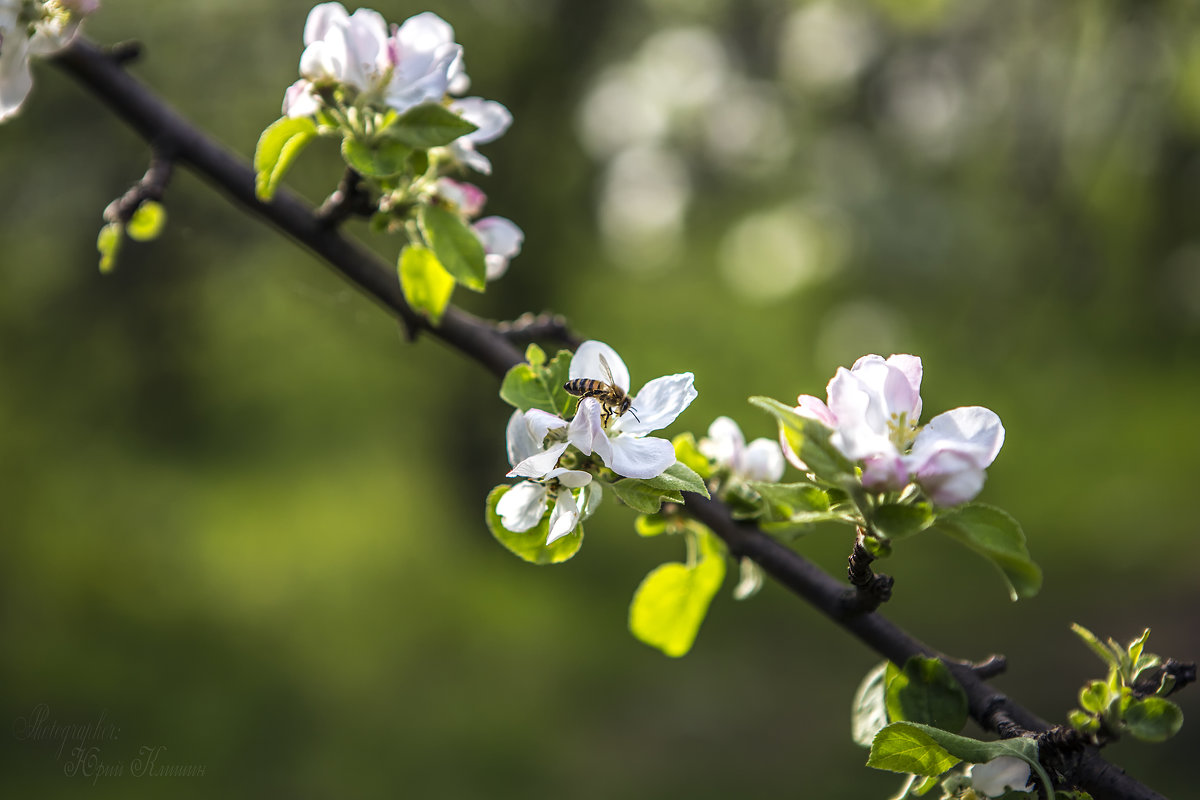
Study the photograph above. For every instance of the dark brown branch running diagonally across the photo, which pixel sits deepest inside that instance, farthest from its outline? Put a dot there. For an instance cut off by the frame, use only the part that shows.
(493, 346)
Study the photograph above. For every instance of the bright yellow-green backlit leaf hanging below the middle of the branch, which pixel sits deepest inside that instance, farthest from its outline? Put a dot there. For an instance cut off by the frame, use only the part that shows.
(673, 601)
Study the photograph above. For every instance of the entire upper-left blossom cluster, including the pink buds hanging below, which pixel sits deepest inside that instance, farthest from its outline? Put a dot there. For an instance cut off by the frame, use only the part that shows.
(358, 75)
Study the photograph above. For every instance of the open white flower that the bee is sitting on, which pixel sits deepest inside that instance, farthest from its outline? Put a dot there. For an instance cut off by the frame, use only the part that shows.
(623, 446)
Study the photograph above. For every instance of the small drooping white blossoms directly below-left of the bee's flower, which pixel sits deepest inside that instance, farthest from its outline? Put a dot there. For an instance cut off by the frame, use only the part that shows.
(524, 507)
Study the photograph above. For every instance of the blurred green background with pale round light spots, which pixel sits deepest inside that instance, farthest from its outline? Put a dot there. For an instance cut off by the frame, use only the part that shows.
(242, 520)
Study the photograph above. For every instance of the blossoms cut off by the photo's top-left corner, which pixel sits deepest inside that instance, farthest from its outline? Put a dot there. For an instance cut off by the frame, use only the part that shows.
(33, 28)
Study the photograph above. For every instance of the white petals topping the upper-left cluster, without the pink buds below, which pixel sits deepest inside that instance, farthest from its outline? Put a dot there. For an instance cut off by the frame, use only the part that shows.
(399, 68)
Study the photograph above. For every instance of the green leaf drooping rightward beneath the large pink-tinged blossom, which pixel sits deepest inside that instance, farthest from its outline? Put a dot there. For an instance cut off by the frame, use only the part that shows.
(994, 534)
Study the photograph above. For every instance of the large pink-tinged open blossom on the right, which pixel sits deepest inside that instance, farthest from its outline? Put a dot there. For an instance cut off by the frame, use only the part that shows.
(874, 410)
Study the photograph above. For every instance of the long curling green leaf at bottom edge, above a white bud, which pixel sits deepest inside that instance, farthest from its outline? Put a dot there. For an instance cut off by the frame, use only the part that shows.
(925, 750)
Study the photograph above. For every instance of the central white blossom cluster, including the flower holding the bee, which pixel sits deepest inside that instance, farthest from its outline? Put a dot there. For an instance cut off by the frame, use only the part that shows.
(544, 448)
